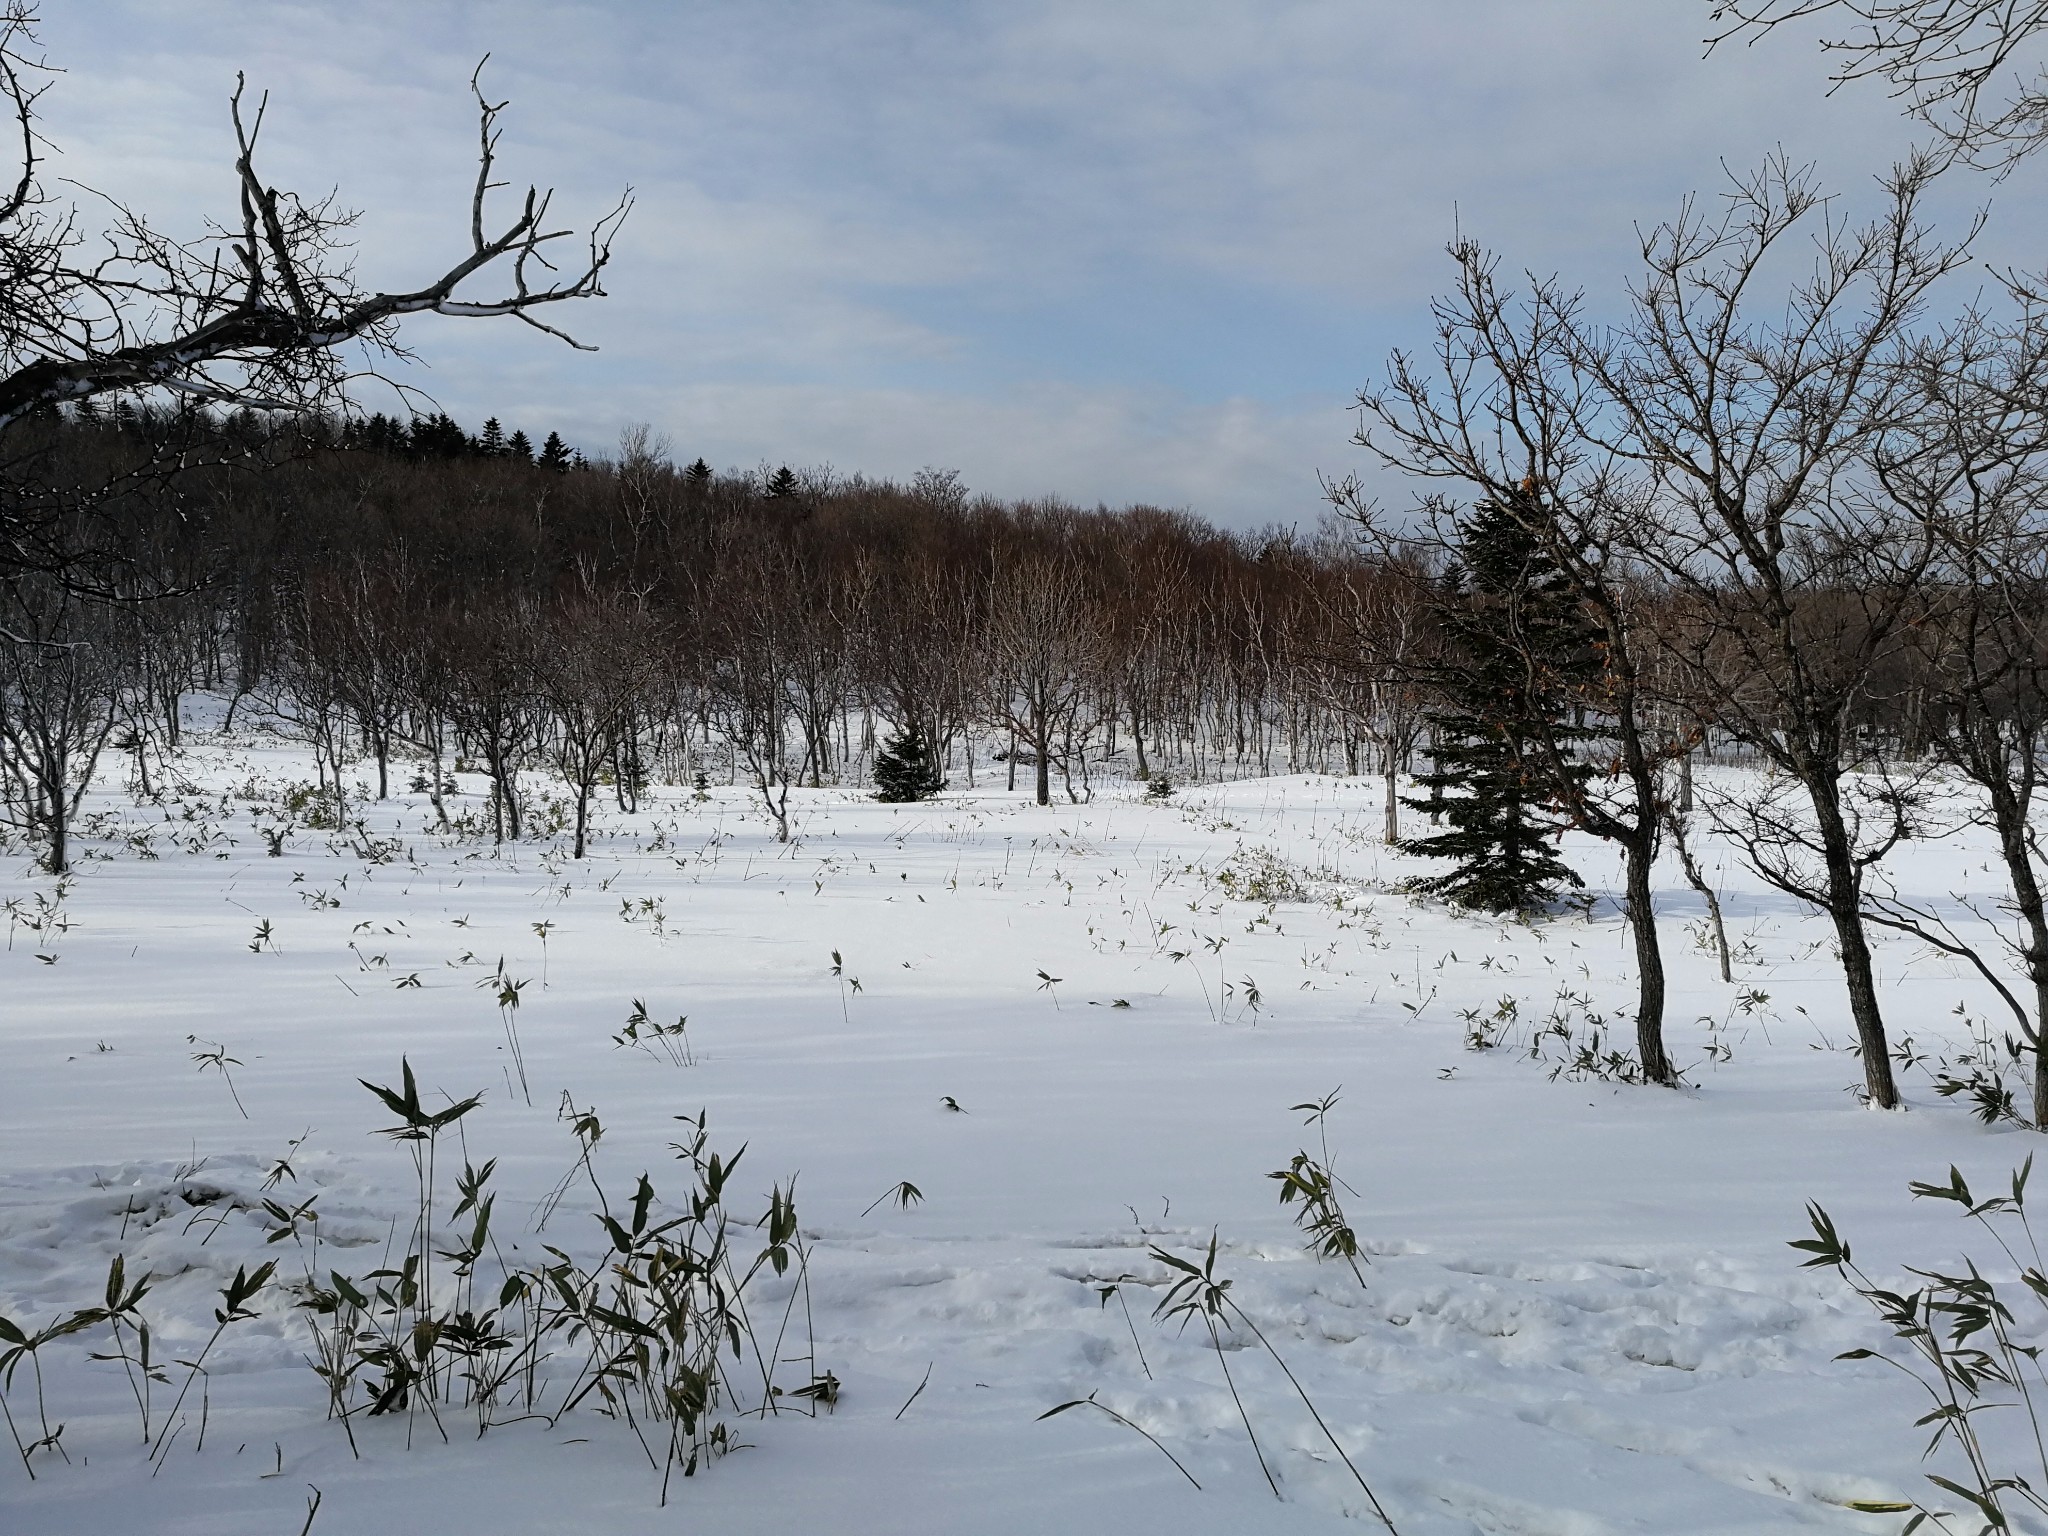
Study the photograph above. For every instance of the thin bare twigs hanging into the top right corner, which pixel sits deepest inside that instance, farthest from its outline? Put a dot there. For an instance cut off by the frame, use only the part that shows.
(1973, 71)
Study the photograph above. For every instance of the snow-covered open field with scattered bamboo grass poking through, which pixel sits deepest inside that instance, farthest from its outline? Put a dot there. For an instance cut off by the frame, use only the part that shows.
(1578, 1316)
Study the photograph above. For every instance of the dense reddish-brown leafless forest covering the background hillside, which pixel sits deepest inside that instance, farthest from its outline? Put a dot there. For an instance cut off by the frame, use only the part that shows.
(632, 617)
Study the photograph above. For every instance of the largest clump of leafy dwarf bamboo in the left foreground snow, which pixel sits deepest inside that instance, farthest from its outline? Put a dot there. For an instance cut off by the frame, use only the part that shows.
(652, 1332)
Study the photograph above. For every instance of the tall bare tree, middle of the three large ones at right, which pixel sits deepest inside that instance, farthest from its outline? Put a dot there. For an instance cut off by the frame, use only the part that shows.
(1789, 577)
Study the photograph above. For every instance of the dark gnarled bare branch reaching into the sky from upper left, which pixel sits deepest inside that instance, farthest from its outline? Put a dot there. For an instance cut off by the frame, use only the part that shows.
(257, 310)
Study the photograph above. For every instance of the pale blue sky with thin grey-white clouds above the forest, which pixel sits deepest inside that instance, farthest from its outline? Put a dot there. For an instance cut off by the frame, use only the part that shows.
(1115, 251)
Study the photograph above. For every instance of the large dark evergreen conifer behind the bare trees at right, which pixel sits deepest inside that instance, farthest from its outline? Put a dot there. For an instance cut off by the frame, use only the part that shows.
(1523, 646)
